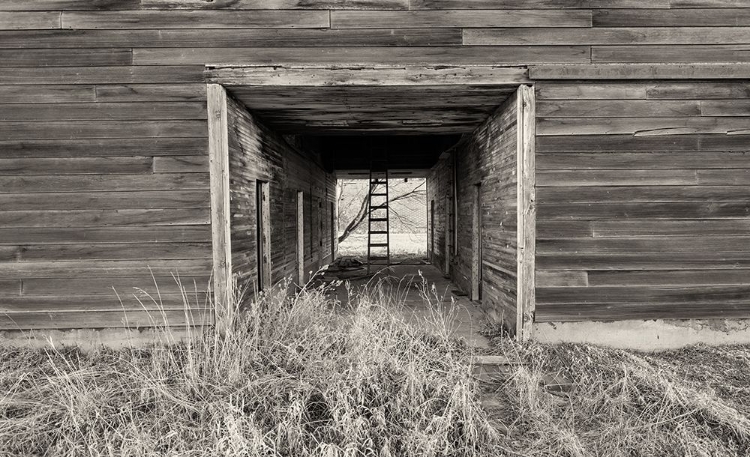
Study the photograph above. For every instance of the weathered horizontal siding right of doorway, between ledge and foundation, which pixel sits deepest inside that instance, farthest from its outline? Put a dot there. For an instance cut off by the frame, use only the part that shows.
(636, 222)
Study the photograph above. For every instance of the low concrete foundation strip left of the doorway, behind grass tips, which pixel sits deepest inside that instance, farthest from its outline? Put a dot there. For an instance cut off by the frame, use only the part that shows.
(91, 339)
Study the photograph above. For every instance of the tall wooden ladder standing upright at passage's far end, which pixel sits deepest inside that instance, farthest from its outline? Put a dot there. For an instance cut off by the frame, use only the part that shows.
(378, 228)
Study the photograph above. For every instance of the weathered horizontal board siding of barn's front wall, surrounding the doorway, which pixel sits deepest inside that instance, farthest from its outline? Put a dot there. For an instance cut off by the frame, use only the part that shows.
(103, 137)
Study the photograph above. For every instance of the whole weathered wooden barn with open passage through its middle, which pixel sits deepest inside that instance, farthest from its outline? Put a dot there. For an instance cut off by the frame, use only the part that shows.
(587, 160)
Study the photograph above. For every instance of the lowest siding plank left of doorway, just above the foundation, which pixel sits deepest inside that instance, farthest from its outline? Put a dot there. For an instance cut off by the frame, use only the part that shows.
(134, 319)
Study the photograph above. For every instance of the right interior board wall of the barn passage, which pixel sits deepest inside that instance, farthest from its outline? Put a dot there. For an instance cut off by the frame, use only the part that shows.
(487, 156)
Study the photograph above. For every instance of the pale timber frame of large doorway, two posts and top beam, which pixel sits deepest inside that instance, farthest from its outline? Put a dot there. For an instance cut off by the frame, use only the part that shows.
(218, 78)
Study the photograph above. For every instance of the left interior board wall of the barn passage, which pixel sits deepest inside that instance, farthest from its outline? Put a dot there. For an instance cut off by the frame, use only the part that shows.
(258, 153)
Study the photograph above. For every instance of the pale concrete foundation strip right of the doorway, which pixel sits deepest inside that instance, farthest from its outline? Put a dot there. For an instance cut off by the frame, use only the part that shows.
(651, 335)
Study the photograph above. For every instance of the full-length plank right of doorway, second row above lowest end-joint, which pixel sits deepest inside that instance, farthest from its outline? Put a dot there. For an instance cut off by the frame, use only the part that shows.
(676, 244)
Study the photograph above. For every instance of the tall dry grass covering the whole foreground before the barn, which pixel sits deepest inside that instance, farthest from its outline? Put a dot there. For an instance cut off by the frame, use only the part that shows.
(294, 377)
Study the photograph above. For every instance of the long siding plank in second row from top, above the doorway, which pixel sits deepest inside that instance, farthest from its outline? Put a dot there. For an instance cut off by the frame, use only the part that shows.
(460, 18)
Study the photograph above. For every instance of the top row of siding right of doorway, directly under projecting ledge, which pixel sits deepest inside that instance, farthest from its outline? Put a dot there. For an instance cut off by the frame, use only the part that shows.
(639, 90)
